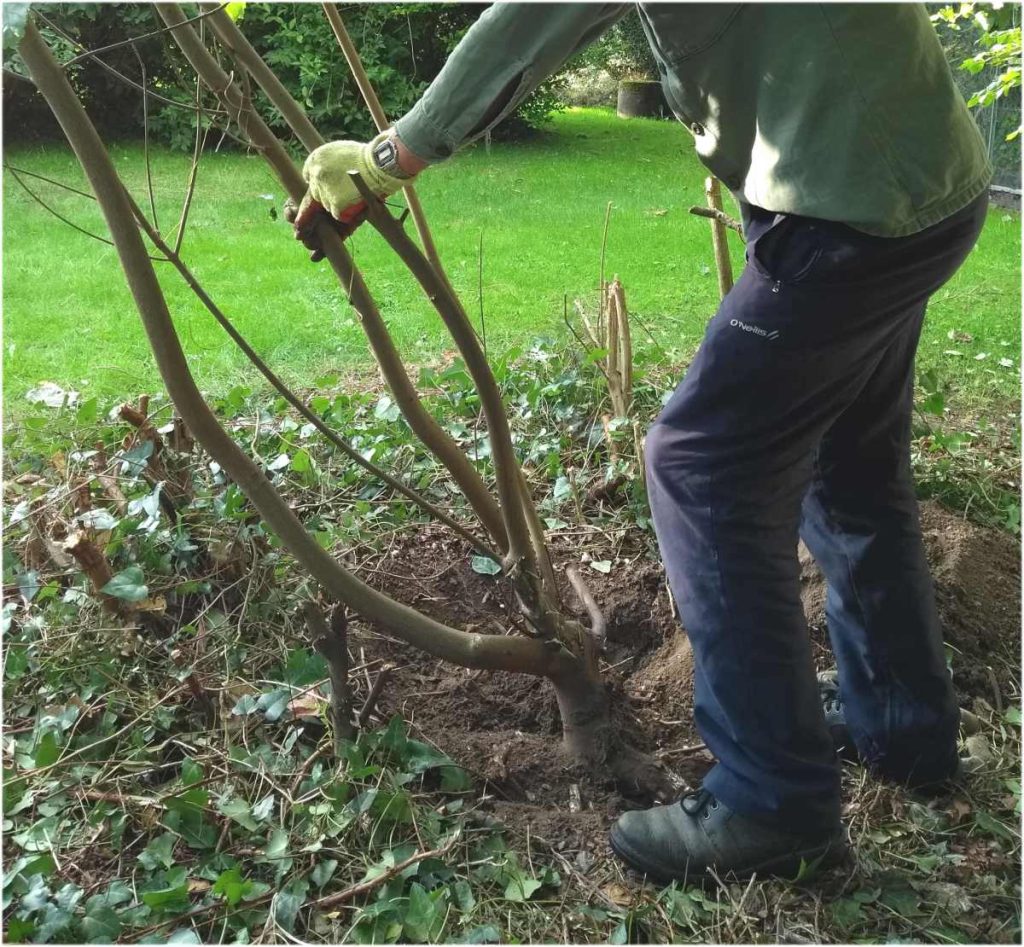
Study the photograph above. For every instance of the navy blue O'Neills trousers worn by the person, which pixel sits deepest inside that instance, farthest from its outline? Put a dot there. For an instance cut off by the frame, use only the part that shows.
(794, 421)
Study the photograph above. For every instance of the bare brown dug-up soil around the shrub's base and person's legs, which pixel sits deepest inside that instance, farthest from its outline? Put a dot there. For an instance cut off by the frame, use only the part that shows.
(504, 728)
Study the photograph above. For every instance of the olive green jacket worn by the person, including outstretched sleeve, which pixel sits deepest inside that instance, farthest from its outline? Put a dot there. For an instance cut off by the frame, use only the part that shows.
(844, 112)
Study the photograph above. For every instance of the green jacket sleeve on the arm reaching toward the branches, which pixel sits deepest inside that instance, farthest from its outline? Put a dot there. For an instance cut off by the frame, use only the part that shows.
(506, 55)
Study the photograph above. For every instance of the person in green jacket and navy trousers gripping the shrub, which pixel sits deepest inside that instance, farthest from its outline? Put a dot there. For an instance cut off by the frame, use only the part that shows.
(863, 185)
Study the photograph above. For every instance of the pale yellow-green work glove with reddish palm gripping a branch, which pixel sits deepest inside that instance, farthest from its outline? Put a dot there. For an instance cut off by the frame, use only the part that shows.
(331, 194)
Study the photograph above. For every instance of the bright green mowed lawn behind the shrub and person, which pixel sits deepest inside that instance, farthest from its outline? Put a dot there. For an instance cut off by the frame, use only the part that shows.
(538, 207)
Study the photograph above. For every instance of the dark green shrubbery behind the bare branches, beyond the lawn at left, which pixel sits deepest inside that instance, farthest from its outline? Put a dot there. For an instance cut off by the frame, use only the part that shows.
(403, 48)
